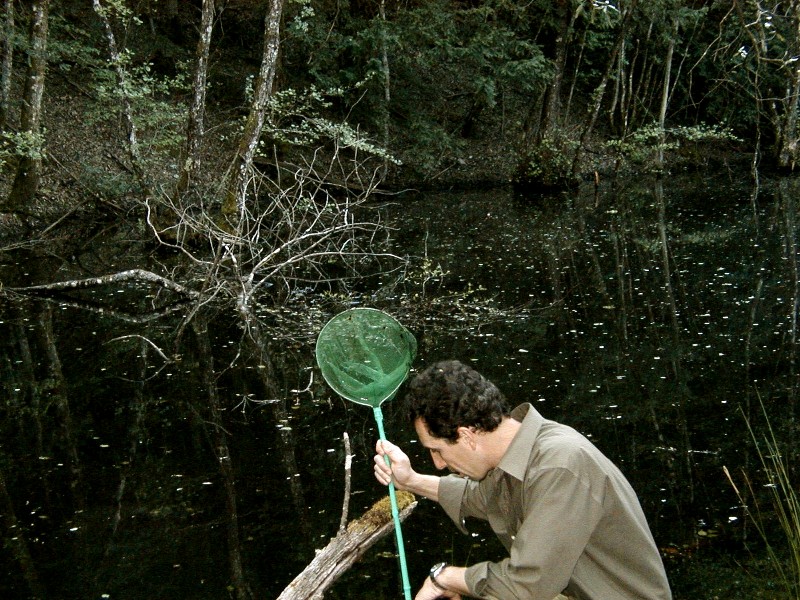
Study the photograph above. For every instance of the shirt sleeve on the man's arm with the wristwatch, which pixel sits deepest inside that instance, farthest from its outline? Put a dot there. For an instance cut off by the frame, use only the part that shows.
(560, 513)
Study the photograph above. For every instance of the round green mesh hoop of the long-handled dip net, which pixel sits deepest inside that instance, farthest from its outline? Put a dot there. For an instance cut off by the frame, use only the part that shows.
(365, 355)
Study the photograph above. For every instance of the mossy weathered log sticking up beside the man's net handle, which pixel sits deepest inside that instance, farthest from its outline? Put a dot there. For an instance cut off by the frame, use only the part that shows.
(346, 548)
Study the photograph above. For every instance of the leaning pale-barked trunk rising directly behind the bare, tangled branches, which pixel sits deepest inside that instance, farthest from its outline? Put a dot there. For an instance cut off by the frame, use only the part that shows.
(239, 182)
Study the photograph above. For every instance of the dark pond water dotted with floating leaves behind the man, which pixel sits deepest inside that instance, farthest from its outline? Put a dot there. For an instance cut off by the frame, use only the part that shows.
(650, 316)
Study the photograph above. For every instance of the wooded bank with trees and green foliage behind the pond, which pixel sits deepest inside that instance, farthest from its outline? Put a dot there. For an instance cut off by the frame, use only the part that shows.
(171, 102)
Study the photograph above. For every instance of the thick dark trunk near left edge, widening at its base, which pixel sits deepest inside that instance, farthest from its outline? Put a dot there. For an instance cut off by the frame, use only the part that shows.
(29, 169)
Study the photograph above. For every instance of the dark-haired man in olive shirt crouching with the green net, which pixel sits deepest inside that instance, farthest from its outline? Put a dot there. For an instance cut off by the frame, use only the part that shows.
(569, 519)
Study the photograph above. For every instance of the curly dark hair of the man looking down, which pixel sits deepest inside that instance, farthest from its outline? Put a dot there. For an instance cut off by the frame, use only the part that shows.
(449, 395)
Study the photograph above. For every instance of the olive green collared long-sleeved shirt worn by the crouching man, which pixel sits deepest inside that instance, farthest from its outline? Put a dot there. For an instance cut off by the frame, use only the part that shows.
(568, 517)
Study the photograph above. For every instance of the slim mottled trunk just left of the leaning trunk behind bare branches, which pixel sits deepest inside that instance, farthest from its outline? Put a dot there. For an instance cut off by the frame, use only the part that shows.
(195, 128)
